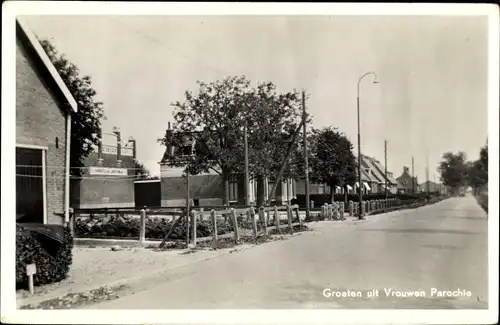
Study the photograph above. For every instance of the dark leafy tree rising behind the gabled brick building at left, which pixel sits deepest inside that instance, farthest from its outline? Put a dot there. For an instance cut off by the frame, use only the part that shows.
(86, 123)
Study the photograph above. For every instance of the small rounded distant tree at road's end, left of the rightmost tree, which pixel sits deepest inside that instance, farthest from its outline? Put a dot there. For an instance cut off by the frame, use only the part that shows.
(454, 170)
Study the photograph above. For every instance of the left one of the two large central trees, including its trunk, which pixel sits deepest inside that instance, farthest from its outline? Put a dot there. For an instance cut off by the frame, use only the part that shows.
(214, 119)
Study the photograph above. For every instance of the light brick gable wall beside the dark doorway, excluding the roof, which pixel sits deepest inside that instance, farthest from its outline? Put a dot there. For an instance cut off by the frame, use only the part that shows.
(41, 122)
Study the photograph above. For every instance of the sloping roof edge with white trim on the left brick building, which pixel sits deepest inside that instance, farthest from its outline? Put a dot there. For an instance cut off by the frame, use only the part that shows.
(34, 44)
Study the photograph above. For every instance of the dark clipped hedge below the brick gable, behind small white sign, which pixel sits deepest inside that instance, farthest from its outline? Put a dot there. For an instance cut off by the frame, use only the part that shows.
(52, 259)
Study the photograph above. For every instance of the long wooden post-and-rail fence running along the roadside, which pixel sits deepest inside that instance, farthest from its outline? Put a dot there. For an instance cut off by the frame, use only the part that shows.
(239, 221)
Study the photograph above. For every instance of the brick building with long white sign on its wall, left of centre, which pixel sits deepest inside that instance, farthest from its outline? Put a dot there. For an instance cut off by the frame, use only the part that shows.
(107, 181)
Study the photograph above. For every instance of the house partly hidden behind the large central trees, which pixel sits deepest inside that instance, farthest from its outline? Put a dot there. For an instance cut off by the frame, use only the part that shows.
(207, 189)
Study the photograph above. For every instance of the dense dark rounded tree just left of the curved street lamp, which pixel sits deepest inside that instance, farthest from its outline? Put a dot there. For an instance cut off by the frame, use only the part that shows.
(332, 160)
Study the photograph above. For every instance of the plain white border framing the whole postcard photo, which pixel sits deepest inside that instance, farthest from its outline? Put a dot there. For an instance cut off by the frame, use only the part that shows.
(8, 305)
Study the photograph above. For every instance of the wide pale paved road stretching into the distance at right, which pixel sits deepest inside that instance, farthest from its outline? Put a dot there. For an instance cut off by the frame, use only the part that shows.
(443, 246)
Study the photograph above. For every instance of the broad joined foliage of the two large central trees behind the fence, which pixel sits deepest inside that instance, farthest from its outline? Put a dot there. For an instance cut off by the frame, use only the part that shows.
(215, 118)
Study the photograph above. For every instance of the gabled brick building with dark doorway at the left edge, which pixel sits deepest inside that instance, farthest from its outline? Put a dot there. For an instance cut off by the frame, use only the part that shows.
(44, 106)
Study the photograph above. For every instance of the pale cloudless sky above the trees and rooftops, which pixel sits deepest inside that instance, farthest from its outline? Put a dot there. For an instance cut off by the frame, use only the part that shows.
(431, 95)
